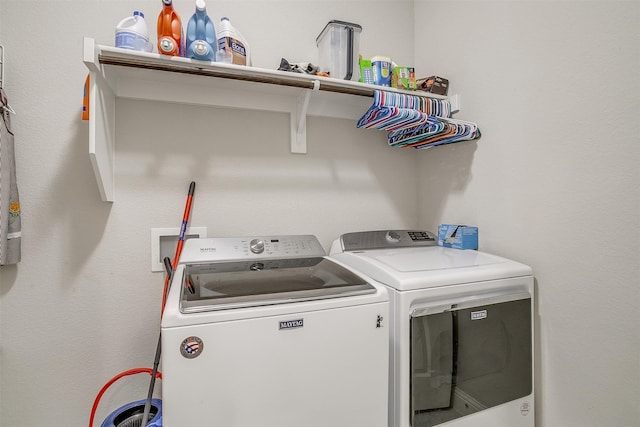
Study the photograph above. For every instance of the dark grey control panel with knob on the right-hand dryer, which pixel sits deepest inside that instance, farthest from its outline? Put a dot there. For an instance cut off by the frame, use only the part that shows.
(384, 239)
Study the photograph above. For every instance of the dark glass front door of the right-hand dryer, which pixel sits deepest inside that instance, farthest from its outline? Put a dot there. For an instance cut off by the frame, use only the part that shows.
(469, 355)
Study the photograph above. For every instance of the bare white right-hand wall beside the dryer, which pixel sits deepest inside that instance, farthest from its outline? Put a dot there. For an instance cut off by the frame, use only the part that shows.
(553, 182)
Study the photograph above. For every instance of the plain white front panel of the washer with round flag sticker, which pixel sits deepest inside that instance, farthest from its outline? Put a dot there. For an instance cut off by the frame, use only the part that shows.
(330, 372)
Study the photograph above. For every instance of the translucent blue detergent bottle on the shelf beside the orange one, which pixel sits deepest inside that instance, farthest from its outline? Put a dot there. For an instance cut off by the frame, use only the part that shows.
(201, 35)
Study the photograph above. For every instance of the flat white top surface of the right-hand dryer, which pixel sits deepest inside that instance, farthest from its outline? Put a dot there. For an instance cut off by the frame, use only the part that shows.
(425, 267)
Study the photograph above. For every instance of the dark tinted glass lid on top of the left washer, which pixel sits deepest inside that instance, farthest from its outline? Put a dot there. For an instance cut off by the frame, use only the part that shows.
(235, 284)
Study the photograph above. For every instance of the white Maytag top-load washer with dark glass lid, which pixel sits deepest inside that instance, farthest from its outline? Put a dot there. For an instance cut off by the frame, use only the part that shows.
(268, 331)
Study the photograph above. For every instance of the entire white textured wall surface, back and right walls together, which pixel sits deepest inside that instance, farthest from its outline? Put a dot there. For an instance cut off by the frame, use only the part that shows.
(83, 306)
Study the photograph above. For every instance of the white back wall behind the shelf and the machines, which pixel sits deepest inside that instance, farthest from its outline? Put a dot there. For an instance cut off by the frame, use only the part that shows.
(83, 305)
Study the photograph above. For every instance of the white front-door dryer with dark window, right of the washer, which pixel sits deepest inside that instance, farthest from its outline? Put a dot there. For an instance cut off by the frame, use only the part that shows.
(461, 351)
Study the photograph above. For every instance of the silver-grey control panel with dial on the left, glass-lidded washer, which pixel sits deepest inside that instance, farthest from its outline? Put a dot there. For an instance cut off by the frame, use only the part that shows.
(252, 247)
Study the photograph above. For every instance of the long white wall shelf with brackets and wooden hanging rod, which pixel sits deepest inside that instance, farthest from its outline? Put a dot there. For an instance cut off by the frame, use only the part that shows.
(120, 73)
